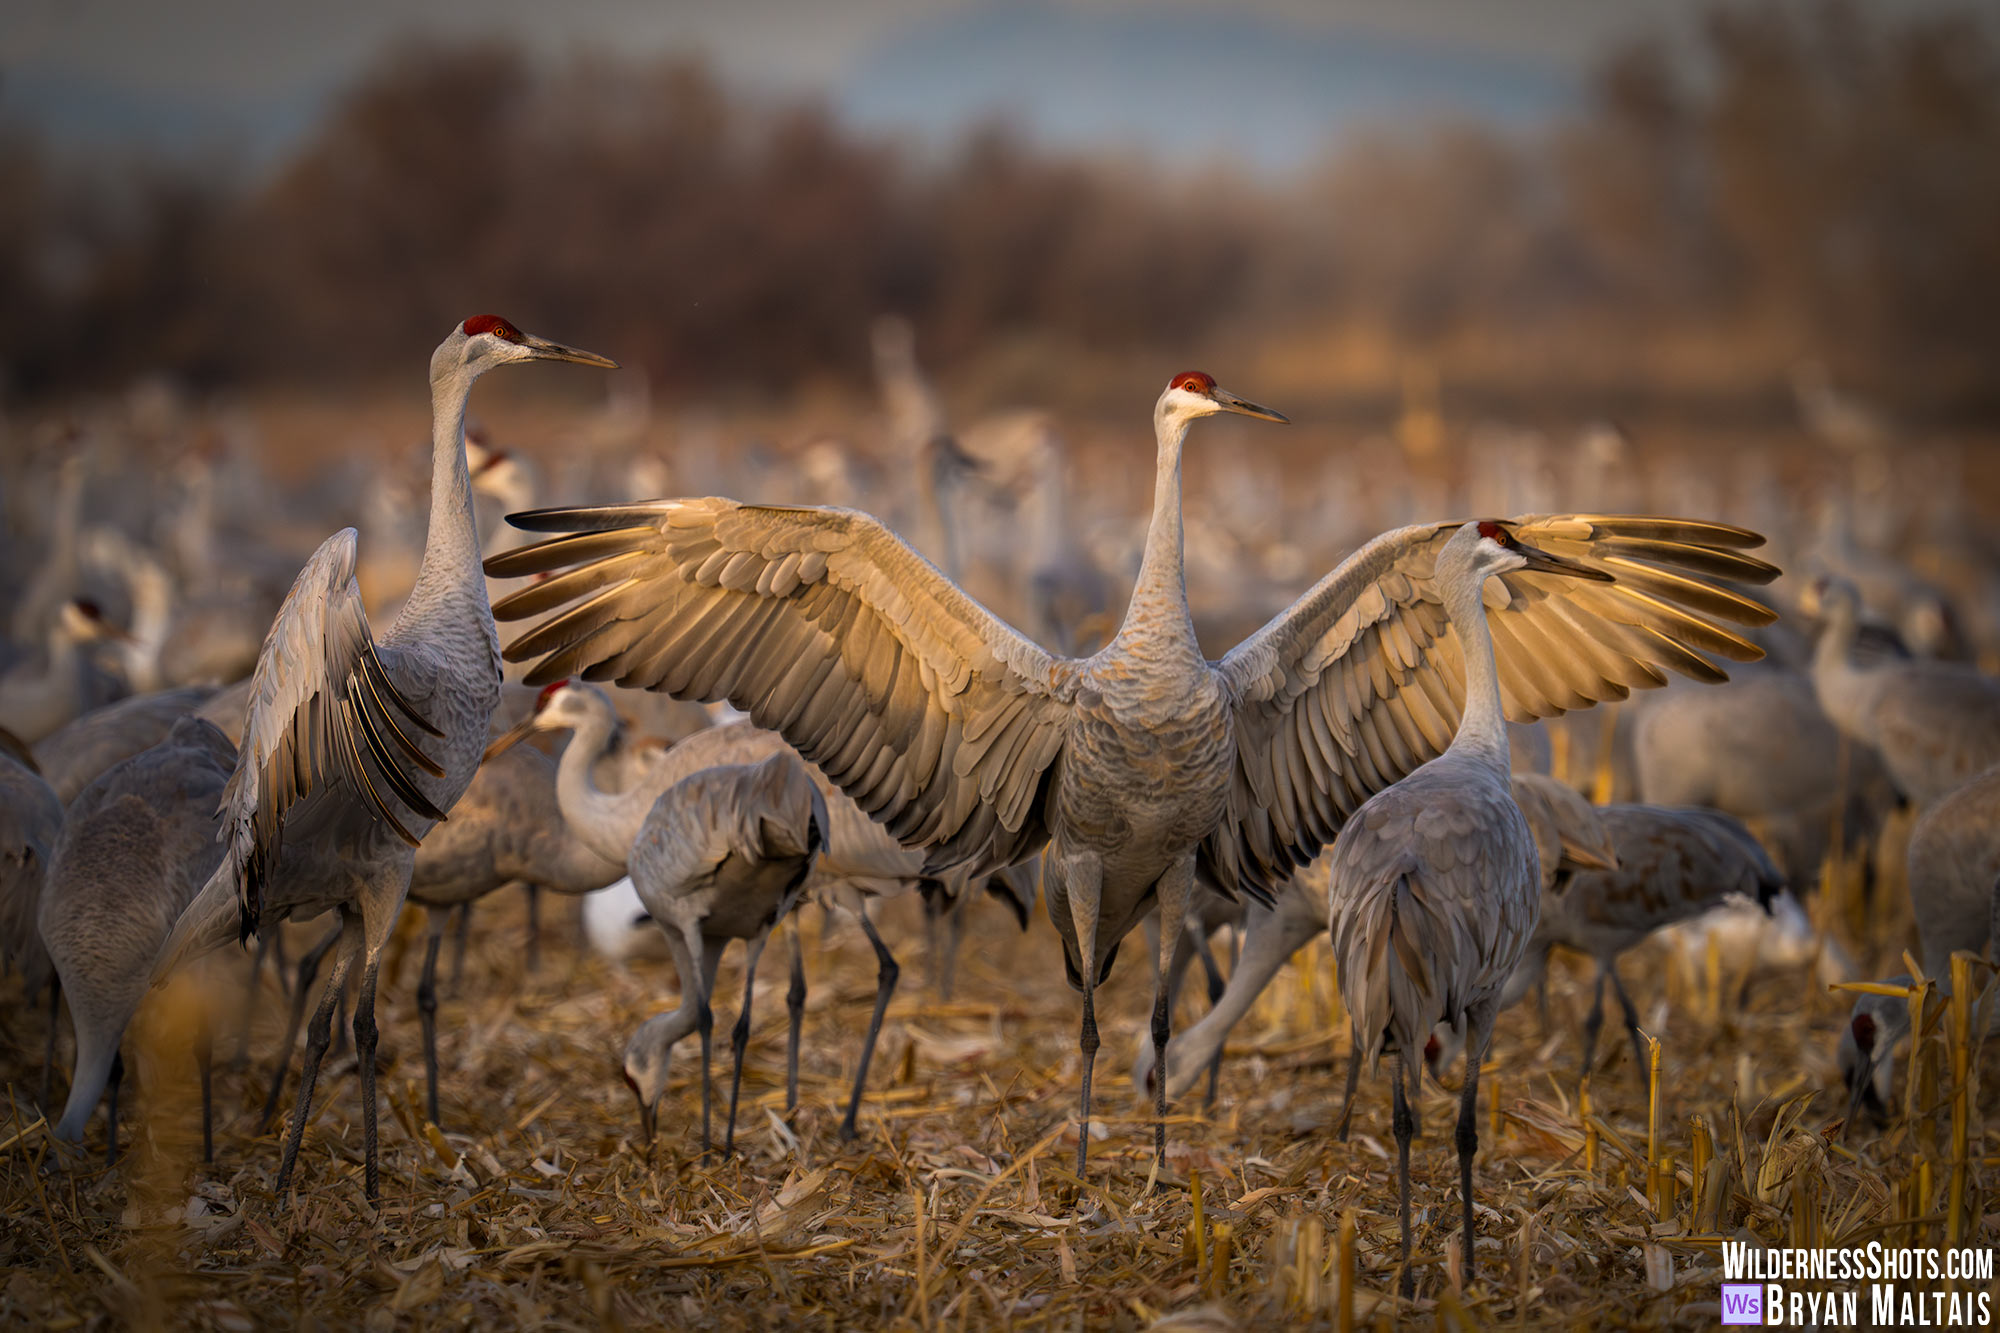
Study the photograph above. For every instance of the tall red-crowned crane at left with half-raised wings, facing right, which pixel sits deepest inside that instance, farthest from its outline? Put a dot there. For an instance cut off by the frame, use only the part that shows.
(331, 792)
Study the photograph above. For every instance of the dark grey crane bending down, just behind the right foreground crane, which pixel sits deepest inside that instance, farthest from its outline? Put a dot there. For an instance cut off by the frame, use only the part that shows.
(1673, 866)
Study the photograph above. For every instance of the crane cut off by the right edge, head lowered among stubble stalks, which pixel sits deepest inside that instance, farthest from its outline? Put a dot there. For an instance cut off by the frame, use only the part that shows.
(1955, 896)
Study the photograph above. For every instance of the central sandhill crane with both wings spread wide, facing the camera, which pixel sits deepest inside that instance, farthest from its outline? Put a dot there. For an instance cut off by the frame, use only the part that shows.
(1133, 766)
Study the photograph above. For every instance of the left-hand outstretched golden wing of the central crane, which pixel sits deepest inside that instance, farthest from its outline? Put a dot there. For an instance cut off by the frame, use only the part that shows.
(927, 710)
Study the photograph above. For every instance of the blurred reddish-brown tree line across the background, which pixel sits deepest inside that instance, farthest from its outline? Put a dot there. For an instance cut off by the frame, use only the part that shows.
(1803, 181)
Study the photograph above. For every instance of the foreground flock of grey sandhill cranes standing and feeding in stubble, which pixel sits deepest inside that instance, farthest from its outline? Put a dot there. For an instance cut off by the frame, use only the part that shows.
(1361, 766)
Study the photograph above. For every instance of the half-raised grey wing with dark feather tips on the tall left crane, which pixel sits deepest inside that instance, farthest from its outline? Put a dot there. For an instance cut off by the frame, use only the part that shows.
(323, 712)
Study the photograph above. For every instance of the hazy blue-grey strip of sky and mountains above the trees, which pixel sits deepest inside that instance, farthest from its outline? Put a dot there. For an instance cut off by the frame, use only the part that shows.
(1269, 85)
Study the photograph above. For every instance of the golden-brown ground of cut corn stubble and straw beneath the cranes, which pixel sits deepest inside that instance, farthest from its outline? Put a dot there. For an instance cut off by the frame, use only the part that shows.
(535, 1208)
